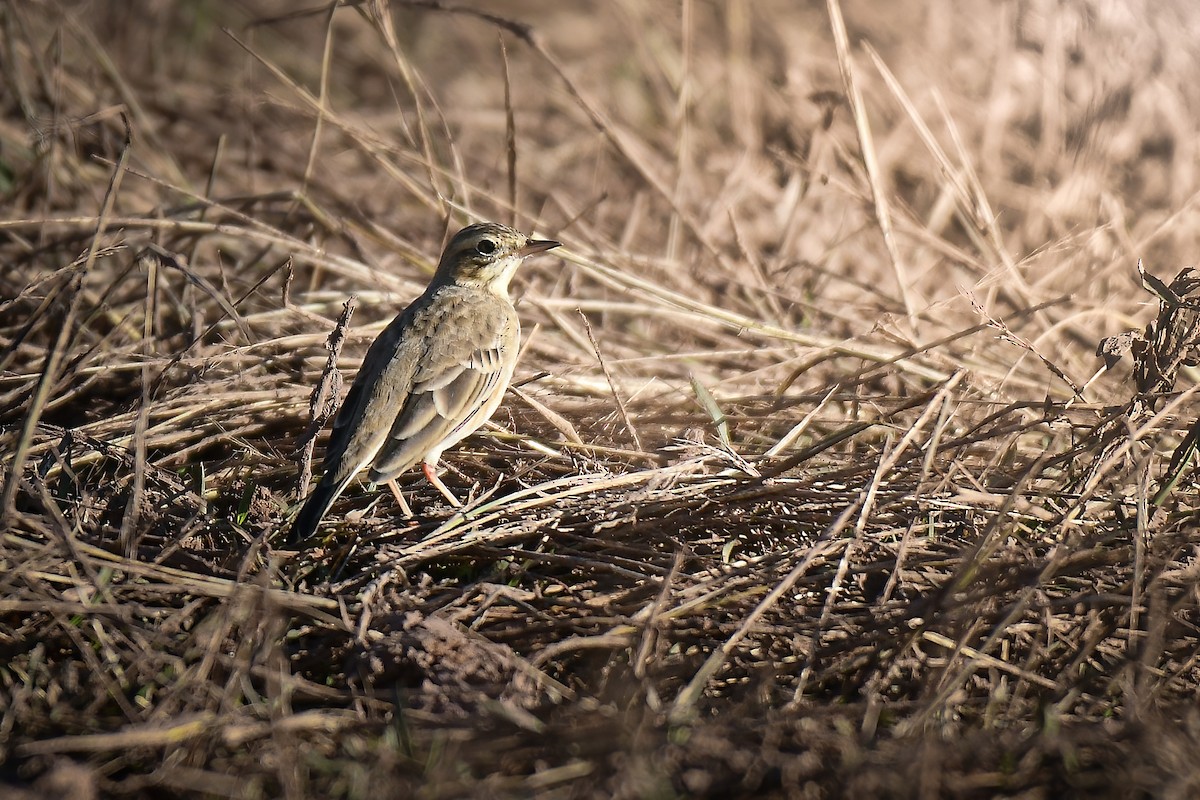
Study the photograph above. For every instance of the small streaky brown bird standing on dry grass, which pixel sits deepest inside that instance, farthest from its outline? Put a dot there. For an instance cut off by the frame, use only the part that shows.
(435, 375)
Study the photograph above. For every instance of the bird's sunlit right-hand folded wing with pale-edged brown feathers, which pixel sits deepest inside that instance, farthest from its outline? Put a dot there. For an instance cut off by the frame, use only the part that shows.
(457, 375)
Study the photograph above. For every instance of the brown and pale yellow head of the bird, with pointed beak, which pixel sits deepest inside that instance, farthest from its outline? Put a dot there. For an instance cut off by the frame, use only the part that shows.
(487, 256)
